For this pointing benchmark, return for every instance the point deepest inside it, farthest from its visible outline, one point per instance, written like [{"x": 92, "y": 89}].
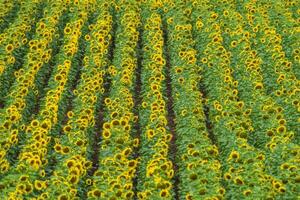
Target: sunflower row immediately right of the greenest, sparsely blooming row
[{"x": 230, "y": 116}]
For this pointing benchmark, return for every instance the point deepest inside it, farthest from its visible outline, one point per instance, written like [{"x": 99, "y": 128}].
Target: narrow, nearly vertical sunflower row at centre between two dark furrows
[{"x": 155, "y": 168}]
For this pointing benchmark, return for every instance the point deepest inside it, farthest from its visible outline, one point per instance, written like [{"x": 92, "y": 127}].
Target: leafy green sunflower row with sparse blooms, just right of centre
[{"x": 197, "y": 158}]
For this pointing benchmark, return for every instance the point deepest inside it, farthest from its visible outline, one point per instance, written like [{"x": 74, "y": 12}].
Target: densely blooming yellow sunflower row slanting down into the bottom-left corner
[{"x": 30, "y": 169}]
